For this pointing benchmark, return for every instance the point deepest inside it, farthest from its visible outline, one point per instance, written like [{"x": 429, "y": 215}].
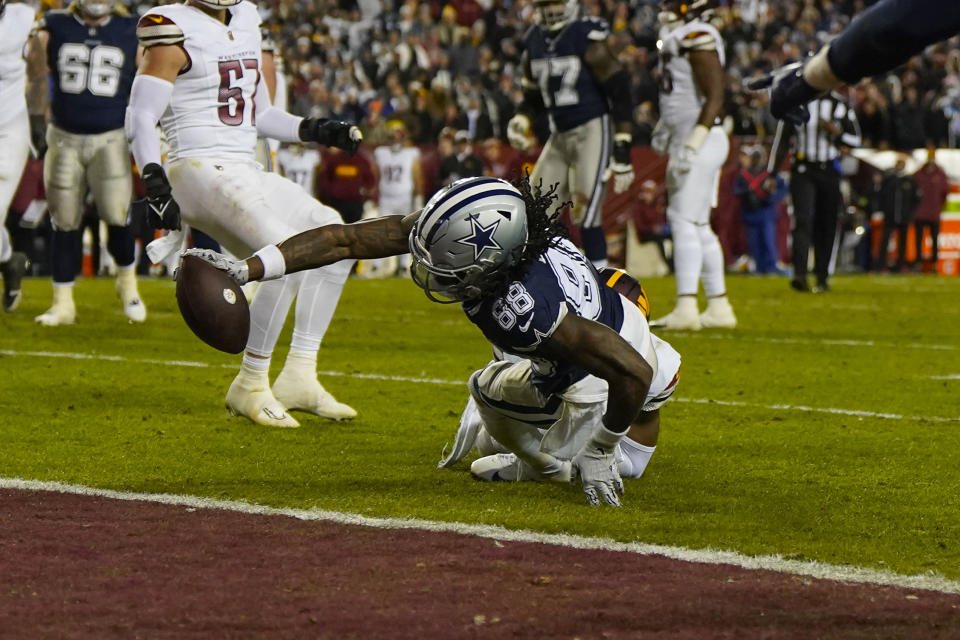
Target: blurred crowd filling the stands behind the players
[{"x": 450, "y": 71}]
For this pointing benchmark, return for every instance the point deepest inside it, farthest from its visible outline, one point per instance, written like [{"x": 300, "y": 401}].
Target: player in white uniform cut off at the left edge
[{"x": 15, "y": 21}]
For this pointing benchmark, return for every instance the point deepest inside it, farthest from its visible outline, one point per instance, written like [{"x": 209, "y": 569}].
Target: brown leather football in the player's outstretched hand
[{"x": 213, "y": 305}]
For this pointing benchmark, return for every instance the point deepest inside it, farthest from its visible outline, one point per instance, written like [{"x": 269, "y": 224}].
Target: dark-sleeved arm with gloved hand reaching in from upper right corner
[{"x": 880, "y": 39}]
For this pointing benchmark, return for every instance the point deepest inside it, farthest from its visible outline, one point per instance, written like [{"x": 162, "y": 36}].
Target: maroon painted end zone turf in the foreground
[{"x": 83, "y": 567}]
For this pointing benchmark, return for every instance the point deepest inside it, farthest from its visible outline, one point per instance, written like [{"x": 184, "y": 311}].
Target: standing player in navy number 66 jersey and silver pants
[{"x": 89, "y": 50}]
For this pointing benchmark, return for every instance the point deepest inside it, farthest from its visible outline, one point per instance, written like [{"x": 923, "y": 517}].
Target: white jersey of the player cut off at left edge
[{"x": 15, "y": 25}]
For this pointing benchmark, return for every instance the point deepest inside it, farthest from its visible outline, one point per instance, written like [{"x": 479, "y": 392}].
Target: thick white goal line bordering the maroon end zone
[{"x": 813, "y": 569}]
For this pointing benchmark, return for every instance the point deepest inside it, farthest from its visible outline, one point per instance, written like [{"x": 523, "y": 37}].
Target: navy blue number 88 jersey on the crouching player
[{"x": 561, "y": 282}]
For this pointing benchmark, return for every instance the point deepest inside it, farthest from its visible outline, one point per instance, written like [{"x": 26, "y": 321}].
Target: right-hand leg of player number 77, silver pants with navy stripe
[{"x": 592, "y": 152}]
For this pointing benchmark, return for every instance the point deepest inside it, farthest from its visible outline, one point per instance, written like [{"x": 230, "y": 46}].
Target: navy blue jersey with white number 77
[{"x": 570, "y": 92}]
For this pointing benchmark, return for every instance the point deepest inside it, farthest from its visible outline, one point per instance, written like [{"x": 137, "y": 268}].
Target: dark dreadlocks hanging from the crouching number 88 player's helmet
[{"x": 544, "y": 228}]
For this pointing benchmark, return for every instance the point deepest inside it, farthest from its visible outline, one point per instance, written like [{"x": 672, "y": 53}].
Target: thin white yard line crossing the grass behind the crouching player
[{"x": 461, "y": 383}]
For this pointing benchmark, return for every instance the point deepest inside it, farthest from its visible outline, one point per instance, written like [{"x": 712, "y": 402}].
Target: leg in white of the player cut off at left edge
[{"x": 15, "y": 143}]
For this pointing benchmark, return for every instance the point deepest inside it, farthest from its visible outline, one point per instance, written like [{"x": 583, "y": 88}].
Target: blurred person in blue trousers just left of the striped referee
[{"x": 760, "y": 193}]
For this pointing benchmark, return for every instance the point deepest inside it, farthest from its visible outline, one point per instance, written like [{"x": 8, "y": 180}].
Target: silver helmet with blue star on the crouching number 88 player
[{"x": 468, "y": 231}]
